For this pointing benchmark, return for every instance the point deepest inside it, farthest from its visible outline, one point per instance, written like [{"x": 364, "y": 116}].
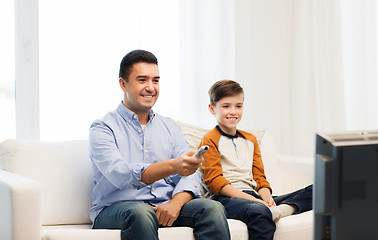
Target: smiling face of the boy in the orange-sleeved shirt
[{"x": 228, "y": 112}]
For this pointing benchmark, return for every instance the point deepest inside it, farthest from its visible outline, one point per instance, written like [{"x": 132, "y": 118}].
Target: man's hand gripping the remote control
[{"x": 186, "y": 165}]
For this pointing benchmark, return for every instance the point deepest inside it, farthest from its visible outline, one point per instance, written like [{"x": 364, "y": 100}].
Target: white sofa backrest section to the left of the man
[{"x": 64, "y": 172}]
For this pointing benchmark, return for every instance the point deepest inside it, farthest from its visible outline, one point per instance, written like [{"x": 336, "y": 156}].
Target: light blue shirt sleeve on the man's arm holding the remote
[{"x": 107, "y": 158}]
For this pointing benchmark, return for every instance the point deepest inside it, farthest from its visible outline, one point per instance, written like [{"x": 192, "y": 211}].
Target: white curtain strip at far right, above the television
[{"x": 359, "y": 39}]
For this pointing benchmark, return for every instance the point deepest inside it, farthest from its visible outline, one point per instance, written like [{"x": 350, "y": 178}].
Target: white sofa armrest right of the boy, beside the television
[{"x": 297, "y": 172}]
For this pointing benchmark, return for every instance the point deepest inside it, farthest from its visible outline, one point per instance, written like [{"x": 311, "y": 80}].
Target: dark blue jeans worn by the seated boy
[{"x": 257, "y": 216}]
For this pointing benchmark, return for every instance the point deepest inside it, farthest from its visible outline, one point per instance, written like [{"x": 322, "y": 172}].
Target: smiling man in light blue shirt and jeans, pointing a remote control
[{"x": 144, "y": 176}]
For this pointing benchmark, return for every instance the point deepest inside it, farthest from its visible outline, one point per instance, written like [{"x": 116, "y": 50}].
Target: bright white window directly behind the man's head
[{"x": 81, "y": 46}]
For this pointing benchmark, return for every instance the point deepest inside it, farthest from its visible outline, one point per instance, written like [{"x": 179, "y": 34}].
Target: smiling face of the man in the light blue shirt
[{"x": 142, "y": 88}]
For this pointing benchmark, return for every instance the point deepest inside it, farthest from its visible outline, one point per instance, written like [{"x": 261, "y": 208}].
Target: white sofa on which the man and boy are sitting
[{"x": 45, "y": 191}]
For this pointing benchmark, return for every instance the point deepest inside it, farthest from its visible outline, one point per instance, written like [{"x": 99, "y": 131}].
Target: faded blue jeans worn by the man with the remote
[{"x": 138, "y": 220}]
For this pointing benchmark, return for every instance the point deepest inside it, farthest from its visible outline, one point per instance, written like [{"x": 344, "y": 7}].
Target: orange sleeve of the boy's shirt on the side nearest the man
[{"x": 212, "y": 167}]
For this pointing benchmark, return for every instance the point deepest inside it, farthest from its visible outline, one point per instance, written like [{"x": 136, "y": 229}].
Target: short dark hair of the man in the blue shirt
[{"x": 132, "y": 57}]
